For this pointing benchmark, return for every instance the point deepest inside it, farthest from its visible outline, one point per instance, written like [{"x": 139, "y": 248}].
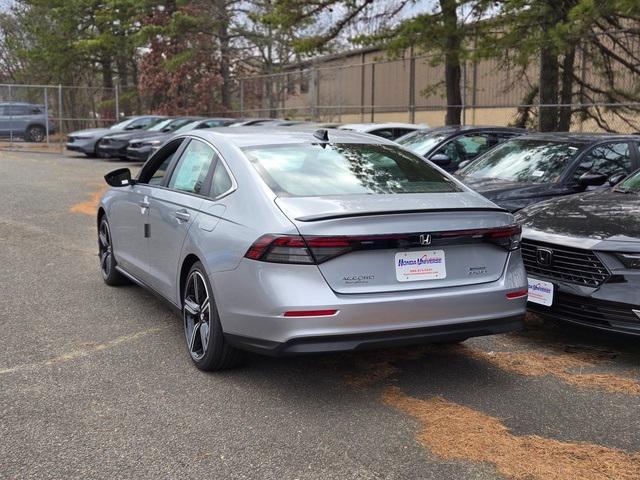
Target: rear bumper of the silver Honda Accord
[{"x": 252, "y": 299}]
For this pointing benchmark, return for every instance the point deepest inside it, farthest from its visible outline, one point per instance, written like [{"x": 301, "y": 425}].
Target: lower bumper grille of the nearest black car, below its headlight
[{"x": 589, "y": 310}]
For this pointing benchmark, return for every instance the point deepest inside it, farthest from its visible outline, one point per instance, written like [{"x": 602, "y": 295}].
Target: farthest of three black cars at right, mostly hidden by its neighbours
[{"x": 451, "y": 147}]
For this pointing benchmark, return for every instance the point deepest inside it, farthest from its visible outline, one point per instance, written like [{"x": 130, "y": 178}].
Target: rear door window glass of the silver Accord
[{"x": 193, "y": 166}]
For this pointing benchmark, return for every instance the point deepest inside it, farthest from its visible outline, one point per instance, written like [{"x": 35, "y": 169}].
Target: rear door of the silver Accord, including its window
[{"x": 173, "y": 211}]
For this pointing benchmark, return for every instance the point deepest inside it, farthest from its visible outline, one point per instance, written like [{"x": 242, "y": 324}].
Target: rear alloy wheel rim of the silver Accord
[{"x": 197, "y": 315}]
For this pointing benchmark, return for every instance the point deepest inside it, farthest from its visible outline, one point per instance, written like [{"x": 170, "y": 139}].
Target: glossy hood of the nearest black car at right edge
[{"x": 603, "y": 215}]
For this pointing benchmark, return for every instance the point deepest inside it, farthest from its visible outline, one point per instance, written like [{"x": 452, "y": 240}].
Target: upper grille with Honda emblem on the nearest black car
[{"x": 572, "y": 265}]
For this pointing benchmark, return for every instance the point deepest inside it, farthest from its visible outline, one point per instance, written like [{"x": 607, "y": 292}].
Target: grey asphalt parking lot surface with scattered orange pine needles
[{"x": 96, "y": 382}]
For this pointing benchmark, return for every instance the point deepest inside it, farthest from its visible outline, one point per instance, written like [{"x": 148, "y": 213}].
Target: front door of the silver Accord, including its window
[{"x": 129, "y": 214}]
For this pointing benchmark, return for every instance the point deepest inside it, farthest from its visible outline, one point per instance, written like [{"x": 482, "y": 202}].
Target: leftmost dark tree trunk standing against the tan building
[{"x": 452, "y": 70}]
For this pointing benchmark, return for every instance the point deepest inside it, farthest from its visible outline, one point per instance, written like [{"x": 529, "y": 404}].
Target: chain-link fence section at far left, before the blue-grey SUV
[{"x": 38, "y": 117}]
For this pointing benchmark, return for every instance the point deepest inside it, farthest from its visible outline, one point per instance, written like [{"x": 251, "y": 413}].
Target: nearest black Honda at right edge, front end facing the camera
[{"x": 582, "y": 255}]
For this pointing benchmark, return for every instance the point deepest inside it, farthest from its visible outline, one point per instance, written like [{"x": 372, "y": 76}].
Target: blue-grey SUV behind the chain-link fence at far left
[{"x": 25, "y": 120}]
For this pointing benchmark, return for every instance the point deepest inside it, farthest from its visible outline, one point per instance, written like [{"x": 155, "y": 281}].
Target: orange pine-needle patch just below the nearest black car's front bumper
[{"x": 567, "y": 366}]
